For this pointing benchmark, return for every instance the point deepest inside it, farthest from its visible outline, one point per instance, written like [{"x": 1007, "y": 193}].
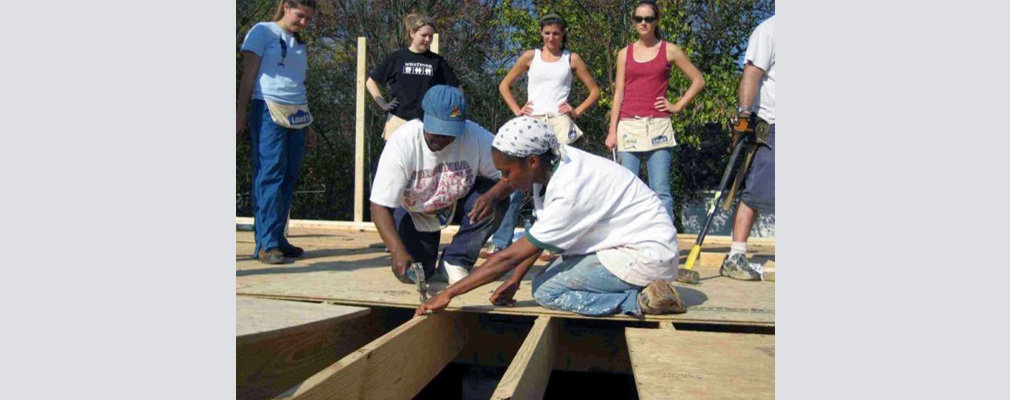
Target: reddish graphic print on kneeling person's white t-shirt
[{"x": 440, "y": 187}]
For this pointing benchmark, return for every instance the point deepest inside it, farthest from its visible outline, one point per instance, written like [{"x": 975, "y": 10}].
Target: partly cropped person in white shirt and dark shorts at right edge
[{"x": 759, "y": 196}]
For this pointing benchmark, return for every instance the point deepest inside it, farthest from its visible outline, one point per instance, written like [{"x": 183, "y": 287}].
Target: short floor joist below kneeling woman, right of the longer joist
[{"x": 527, "y": 377}]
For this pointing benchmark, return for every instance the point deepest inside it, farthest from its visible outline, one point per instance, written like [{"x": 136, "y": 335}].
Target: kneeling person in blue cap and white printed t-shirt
[{"x": 431, "y": 168}]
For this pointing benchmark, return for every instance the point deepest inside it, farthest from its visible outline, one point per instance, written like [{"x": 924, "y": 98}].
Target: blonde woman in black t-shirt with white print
[{"x": 410, "y": 73}]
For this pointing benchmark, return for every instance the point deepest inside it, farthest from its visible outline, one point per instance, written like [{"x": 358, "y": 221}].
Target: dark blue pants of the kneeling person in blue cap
[{"x": 466, "y": 246}]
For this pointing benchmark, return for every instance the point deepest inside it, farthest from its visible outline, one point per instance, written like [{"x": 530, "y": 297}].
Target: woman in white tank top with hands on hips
[{"x": 551, "y": 69}]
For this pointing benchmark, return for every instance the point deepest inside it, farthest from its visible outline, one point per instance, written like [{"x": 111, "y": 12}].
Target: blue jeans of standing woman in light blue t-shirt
[{"x": 277, "y": 158}]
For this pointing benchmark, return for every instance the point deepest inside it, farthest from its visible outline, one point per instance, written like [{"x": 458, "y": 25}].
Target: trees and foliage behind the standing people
[{"x": 482, "y": 40}]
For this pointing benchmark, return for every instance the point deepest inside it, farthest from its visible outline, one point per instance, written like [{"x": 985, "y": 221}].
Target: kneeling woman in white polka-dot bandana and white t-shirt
[{"x": 619, "y": 248}]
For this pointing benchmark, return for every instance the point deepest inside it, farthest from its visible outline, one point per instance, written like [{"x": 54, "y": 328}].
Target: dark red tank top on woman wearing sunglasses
[{"x": 644, "y": 82}]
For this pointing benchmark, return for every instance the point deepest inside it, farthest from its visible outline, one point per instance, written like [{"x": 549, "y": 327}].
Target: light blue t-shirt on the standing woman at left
[{"x": 282, "y": 64}]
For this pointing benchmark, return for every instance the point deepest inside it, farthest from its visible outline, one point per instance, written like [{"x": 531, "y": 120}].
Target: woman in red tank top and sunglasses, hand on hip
[{"x": 641, "y": 128}]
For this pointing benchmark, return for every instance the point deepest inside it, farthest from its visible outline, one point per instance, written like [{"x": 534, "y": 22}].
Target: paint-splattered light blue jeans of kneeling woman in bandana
[{"x": 582, "y": 285}]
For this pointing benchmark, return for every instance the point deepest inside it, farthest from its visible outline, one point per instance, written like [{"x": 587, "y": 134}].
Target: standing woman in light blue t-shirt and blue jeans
[{"x": 274, "y": 66}]
